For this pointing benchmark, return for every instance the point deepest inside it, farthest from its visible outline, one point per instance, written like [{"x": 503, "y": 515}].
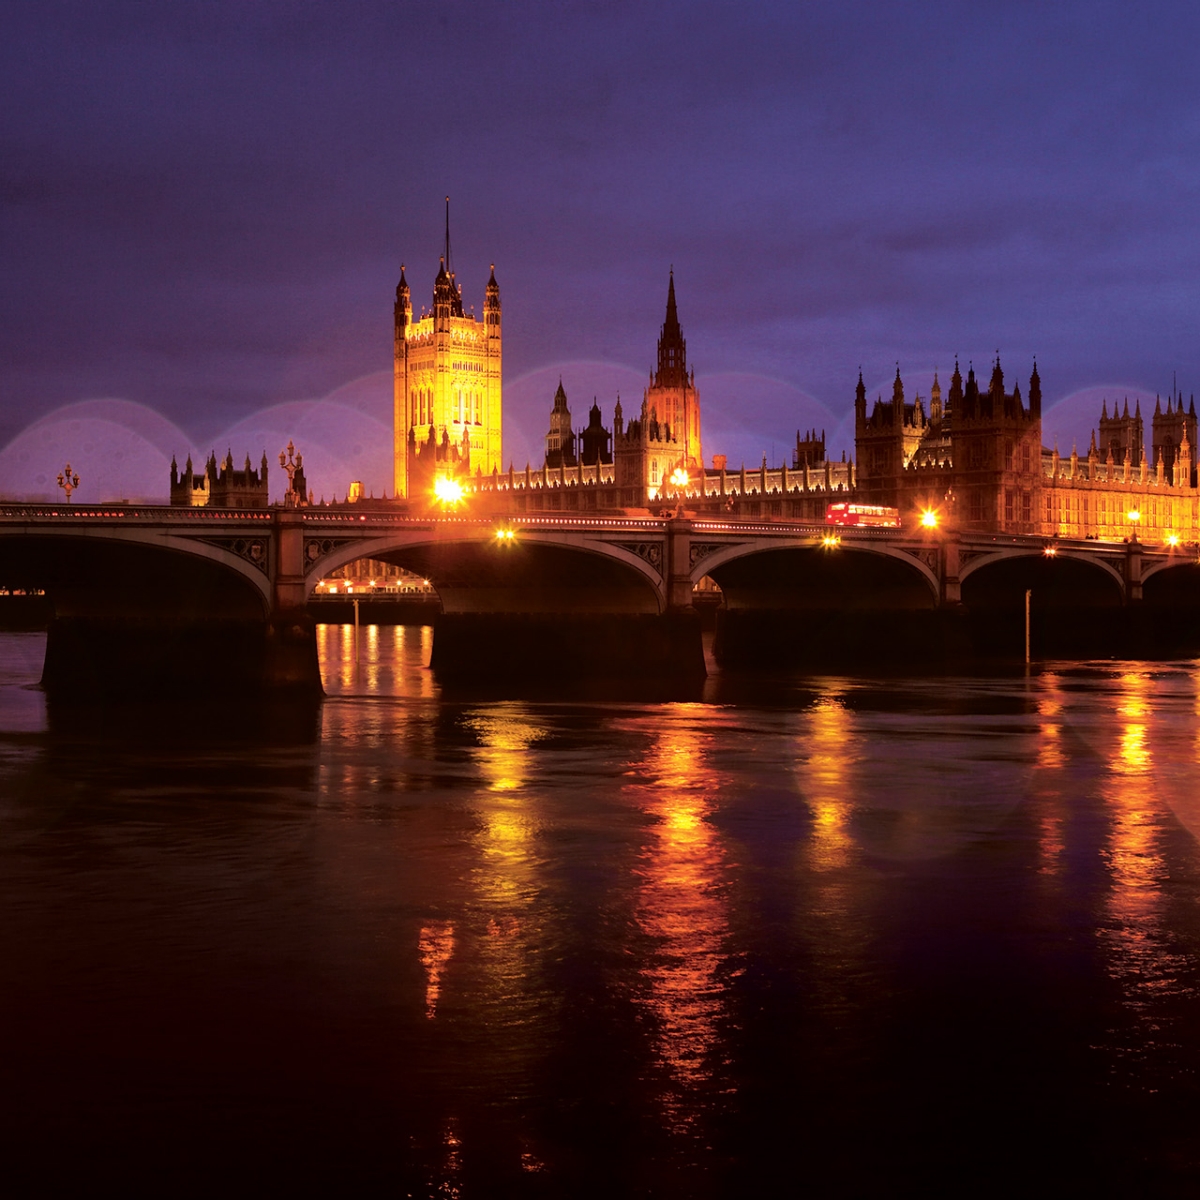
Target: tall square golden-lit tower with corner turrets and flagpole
[{"x": 447, "y": 403}]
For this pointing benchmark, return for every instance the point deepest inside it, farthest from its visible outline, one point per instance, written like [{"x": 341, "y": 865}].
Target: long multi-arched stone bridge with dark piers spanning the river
[{"x": 208, "y": 602}]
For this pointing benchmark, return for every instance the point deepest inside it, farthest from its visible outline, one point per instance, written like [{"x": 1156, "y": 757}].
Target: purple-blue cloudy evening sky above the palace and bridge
[{"x": 206, "y": 208}]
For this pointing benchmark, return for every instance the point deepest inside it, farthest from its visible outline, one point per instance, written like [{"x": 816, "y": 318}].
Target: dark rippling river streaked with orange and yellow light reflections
[{"x": 824, "y": 935}]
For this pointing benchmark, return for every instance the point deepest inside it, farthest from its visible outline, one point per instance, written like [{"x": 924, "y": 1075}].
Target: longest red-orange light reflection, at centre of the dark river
[{"x": 682, "y": 908}]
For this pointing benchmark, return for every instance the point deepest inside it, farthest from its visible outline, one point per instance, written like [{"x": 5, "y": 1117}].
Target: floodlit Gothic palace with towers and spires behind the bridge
[{"x": 973, "y": 455}]
